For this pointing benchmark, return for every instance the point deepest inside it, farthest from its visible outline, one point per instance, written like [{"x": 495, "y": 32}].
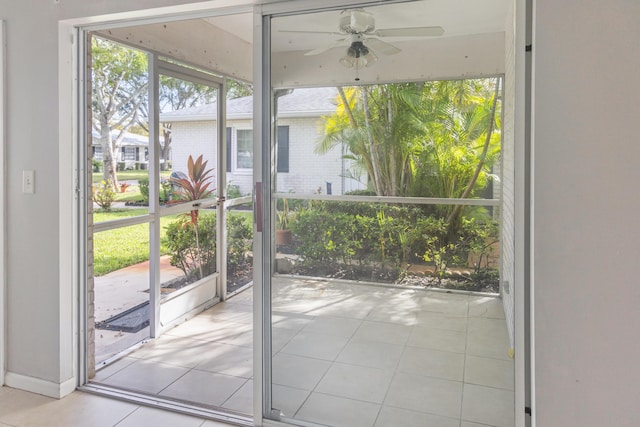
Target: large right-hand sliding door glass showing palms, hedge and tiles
[{"x": 384, "y": 210}]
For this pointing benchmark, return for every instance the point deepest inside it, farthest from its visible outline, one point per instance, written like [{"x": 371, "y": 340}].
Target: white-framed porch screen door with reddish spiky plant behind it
[{"x": 189, "y": 177}]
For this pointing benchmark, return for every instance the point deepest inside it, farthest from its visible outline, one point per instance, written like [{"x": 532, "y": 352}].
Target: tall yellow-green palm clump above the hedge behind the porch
[{"x": 432, "y": 139}]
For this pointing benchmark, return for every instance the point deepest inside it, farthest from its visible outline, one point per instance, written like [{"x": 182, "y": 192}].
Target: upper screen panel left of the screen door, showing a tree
[{"x": 119, "y": 147}]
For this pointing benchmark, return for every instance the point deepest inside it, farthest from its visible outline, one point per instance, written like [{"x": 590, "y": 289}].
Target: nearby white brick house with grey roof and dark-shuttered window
[{"x": 300, "y": 127}]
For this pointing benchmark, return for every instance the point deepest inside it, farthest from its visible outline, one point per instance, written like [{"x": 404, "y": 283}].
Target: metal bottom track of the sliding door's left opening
[{"x": 170, "y": 405}]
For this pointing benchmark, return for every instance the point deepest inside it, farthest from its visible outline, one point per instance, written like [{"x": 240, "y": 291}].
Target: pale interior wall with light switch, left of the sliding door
[{"x": 40, "y": 321}]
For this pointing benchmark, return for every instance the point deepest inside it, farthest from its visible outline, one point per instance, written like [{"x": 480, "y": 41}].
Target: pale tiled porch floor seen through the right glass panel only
[{"x": 376, "y": 356}]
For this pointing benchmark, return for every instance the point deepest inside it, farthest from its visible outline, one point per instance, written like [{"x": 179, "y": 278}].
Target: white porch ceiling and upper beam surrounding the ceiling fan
[{"x": 472, "y": 44}]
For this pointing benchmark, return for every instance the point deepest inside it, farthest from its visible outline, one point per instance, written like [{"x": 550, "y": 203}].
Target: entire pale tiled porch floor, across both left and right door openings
[{"x": 343, "y": 355}]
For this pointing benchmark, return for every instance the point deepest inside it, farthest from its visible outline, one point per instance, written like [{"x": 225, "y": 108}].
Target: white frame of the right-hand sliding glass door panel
[{"x": 263, "y": 177}]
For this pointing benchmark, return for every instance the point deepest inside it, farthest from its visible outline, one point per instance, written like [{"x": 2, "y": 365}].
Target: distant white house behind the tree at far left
[{"x": 132, "y": 153}]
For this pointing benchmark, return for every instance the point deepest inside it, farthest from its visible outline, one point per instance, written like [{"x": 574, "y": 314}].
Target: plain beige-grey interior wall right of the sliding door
[{"x": 586, "y": 203}]
